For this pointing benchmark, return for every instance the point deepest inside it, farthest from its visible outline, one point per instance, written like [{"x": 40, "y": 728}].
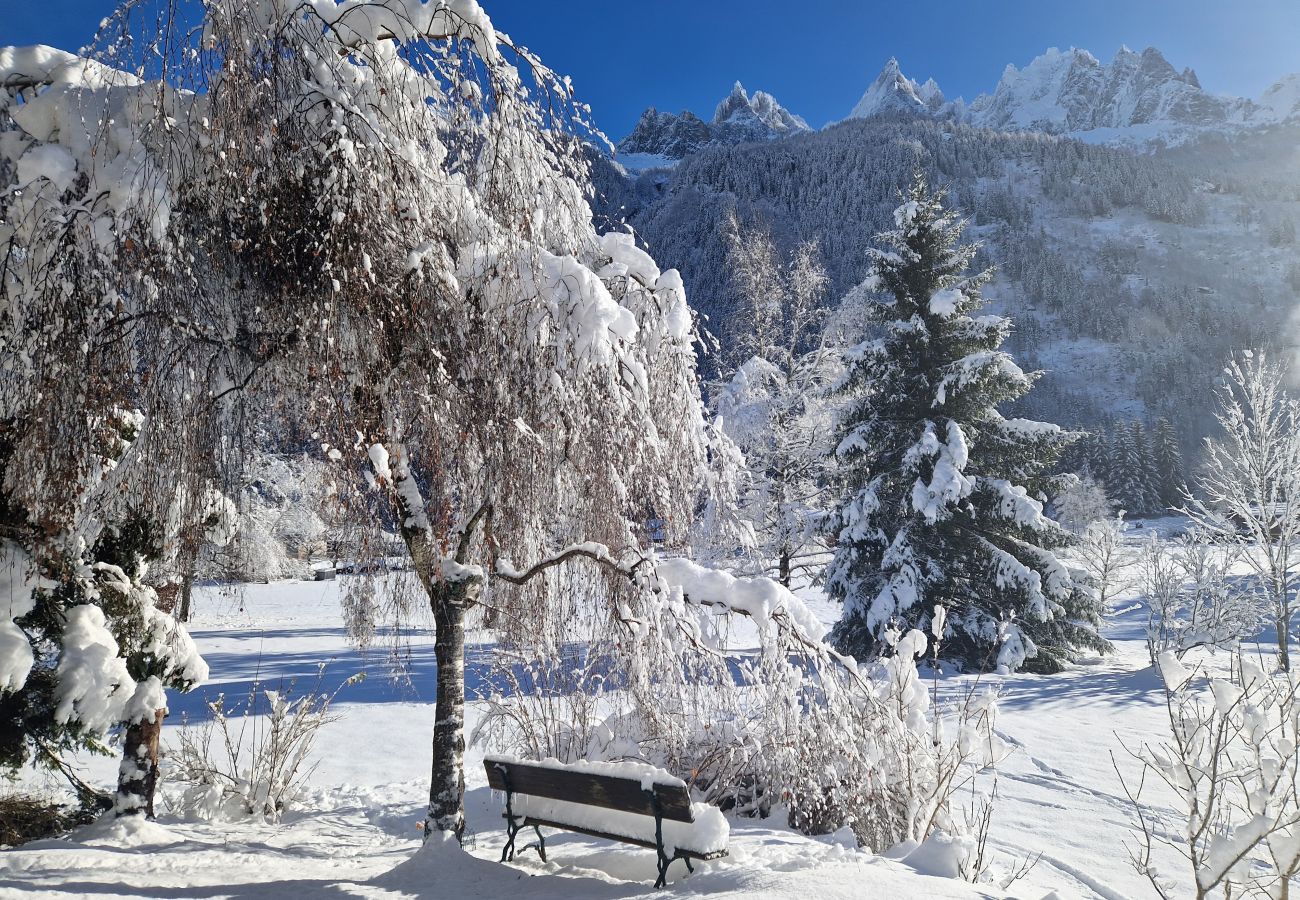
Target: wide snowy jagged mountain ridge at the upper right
[{"x": 1073, "y": 93}]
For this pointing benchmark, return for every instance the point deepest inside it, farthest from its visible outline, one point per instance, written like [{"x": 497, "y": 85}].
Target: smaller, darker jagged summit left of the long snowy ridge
[{"x": 739, "y": 119}]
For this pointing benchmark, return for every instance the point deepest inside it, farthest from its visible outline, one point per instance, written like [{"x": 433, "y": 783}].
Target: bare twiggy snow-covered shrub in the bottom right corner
[{"x": 1232, "y": 763}]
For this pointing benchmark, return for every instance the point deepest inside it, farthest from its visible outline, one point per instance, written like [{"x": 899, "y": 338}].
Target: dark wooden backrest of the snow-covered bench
[{"x": 590, "y": 789}]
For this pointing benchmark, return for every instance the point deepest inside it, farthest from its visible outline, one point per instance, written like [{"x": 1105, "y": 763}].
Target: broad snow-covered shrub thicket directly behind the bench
[{"x": 795, "y": 728}]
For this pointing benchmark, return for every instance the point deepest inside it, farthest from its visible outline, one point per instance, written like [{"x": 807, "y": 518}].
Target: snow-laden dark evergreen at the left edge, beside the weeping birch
[{"x": 84, "y": 647}]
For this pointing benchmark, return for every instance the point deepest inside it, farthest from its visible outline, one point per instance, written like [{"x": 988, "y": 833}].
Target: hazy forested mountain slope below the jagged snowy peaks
[{"x": 1132, "y": 276}]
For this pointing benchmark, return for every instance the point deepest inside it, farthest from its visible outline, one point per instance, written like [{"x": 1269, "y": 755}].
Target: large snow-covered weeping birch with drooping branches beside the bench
[{"x": 371, "y": 218}]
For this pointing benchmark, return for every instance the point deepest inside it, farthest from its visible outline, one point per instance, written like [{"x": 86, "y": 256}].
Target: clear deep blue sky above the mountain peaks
[{"x": 818, "y": 57}]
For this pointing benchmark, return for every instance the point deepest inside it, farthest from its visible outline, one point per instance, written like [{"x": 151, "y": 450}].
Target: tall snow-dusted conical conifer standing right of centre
[{"x": 941, "y": 501}]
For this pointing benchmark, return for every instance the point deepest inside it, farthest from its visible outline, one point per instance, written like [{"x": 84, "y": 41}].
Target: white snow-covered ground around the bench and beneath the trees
[{"x": 356, "y": 836}]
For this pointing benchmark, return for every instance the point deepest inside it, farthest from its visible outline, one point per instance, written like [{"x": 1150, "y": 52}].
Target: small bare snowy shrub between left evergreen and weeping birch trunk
[{"x": 253, "y": 759}]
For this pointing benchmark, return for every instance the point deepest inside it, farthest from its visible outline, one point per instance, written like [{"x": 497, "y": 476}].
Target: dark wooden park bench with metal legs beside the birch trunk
[{"x": 579, "y": 786}]
